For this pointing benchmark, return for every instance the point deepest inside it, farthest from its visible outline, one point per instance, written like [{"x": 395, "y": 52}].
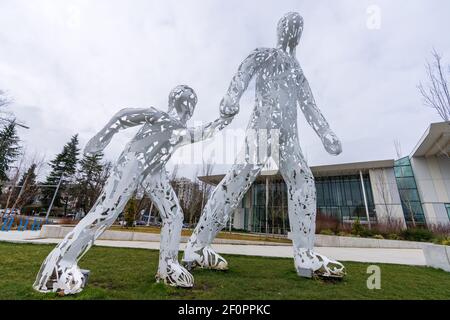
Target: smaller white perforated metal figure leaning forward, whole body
[{"x": 142, "y": 162}]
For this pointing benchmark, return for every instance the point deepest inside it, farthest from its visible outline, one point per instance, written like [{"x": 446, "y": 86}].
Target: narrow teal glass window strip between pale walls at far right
[{"x": 412, "y": 207}]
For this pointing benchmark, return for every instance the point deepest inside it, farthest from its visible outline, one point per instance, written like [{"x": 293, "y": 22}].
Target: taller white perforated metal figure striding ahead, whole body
[{"x": 281, "y": 88}]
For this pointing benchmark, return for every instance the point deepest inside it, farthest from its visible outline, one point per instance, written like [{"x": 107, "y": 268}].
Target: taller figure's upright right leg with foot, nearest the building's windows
[{"x": 302, "y": 215}]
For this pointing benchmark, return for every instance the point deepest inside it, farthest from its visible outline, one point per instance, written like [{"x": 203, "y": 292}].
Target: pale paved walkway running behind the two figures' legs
[{"x": 371, "y": 255}]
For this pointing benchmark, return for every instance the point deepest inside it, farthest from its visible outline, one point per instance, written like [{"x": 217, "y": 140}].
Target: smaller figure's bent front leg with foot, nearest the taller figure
[{"x": 163, "y": 196}]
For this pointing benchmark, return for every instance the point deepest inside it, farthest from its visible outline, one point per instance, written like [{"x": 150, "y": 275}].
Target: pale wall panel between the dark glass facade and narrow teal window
[{"x": 386, "y": 196}]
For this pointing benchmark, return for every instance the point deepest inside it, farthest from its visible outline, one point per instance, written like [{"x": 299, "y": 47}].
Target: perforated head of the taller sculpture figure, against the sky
[{"x": 290, "y": 29}]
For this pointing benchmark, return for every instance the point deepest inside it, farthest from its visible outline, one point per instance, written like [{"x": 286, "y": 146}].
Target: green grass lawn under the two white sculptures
[{"x": 119, "y": 273}]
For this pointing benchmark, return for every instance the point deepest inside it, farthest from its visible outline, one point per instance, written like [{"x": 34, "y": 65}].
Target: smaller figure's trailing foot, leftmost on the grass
[{"x": 54, "y": 278}]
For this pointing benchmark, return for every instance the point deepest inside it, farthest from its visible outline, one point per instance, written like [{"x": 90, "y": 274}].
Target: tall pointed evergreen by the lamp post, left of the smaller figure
[{"x": 64, "y": 167}]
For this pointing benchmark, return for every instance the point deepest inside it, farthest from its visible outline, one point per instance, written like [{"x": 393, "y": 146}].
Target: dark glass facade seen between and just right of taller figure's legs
[{"x": 340, "y": 197}]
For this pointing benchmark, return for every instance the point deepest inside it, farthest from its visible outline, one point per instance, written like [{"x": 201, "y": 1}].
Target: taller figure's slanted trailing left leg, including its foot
[{"x": 224, "y": 199}]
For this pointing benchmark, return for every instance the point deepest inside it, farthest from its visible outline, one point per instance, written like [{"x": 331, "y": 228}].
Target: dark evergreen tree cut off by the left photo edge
[{"x": 9, "y": 149}]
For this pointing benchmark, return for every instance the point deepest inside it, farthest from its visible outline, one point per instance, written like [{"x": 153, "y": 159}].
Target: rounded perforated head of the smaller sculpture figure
[{"x": 182, "y": 102}]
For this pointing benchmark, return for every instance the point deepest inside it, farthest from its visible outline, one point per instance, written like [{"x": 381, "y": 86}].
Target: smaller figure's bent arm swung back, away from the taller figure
[{"x": 125, "y": 118}]
